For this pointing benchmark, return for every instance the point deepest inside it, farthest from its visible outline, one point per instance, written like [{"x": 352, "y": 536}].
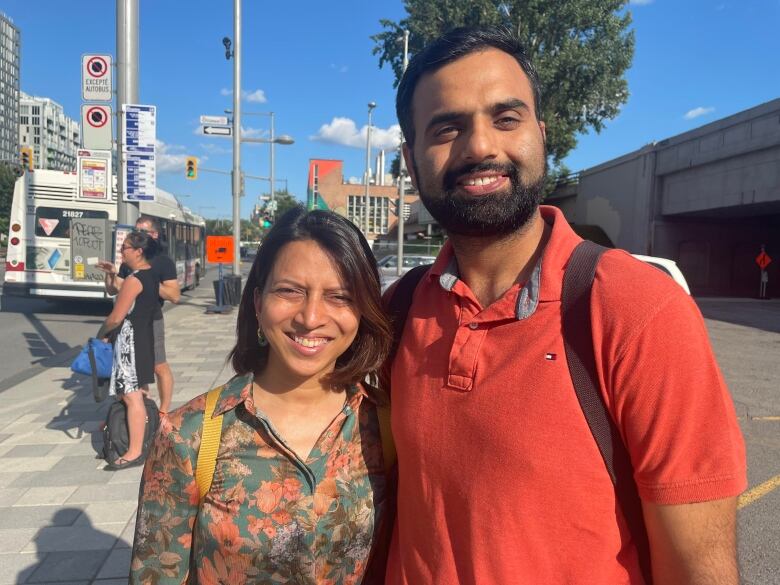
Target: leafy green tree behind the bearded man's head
[{"x": 581, "y": 49}]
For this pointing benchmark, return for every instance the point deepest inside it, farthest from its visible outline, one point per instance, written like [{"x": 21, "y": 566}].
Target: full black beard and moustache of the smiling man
[{"x": 494, "y": 214}]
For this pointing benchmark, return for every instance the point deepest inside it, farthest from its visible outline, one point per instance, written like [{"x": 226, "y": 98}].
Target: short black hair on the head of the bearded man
[{"x": 450, "y": 47}]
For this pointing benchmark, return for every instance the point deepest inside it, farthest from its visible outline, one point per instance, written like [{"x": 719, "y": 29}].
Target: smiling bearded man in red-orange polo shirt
[{"x": 500, "y": 479}]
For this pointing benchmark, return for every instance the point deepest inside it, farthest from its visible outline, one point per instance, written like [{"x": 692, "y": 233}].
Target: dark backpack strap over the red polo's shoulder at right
[{"x": 578, "y": 342}]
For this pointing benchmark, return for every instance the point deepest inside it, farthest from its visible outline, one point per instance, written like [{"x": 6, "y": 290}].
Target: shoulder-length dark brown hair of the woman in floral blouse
[{"x": 346, "y": 246}]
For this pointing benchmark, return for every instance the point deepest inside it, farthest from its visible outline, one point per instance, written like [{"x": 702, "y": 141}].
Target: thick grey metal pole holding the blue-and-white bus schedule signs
[{"x": 126, "y": 93}]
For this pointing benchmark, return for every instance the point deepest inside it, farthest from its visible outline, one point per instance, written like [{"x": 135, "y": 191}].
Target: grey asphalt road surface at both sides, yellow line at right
[{"x": 745, "y": 336}]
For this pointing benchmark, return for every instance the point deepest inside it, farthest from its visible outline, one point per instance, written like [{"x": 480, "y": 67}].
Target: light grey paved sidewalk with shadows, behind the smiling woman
[{"x": 63, "y": 518}]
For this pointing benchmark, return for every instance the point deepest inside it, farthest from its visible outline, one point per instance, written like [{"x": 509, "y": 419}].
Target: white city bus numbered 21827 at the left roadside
[{"x": 38, "y": 255}]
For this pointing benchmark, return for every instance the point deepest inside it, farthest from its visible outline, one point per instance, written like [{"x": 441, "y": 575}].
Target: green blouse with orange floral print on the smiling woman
[{"x": 269, "y": 517}]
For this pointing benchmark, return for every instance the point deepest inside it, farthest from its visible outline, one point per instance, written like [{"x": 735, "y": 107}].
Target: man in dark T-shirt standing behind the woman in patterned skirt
[{"x": 165, "y": 270}]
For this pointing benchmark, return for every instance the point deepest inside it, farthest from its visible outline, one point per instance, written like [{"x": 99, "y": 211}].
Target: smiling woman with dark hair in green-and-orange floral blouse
[{"x": 299, "y": 489}]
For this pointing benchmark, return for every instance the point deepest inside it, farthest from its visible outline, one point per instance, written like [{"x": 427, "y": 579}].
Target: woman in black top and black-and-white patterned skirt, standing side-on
[{"x": 133, "y": 368}]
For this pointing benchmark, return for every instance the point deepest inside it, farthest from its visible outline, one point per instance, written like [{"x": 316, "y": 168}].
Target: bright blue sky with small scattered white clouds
[{"x": 311, "y": 63}]
